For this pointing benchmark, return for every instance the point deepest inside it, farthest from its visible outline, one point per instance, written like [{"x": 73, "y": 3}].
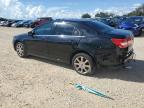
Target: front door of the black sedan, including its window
[{"x": 37, "y": 45}]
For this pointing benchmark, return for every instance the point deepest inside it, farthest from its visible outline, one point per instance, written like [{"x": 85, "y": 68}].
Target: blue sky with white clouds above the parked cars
[{"x": 63, "y": 8}]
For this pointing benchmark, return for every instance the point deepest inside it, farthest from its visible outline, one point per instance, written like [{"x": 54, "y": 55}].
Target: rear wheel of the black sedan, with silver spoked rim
[{"x": 83, "y": 64}]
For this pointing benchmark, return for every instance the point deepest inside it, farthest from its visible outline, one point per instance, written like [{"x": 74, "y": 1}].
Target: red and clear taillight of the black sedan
[{"x": 123, "y": 43}]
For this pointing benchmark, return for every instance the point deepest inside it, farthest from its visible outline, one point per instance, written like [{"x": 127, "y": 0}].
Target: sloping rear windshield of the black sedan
[{"x": 98, "y": 26}]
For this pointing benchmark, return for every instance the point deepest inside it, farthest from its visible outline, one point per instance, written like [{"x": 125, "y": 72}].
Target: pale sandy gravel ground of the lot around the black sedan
[{"x": 39, "y": 83}]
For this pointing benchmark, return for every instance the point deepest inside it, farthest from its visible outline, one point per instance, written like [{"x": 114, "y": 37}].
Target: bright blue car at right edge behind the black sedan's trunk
[{"x": 134, "y": 24}]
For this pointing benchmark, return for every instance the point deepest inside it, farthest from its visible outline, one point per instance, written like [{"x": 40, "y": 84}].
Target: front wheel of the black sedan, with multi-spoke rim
[{"x": 20, "y": 49}]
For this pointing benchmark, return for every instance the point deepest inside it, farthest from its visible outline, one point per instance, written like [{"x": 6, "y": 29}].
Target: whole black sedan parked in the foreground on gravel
[{"x": 83, "y": 43}]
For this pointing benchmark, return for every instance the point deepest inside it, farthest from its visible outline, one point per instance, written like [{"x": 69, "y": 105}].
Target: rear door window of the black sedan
[{"x": 66, "y": 29}]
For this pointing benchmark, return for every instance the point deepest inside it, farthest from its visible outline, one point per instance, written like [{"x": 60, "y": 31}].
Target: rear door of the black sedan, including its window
[{"x": 63, "y": 42}]
